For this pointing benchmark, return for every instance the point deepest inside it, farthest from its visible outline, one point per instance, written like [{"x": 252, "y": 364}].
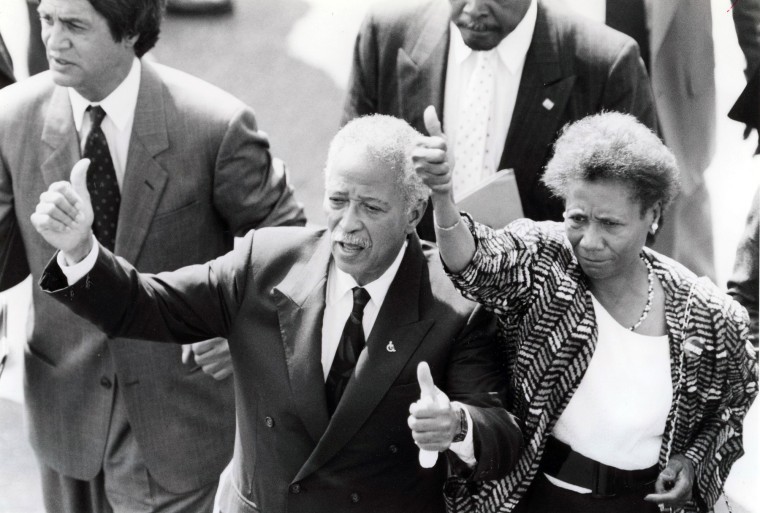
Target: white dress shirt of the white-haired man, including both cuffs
[{"x": 338, "y": 304}]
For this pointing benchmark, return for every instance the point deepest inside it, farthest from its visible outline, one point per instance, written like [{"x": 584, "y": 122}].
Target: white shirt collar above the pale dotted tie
[{"x": 512, "y": 50}]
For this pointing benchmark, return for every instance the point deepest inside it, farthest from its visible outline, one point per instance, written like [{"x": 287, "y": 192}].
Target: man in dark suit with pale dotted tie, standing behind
[{"x": 550, "y": 70}]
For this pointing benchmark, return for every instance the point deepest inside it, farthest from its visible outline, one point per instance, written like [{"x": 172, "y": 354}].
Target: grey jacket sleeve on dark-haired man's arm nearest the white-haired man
[{"x": 251, "y": 189}]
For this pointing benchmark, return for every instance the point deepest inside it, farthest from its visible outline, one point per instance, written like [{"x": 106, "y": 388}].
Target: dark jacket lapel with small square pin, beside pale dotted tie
[{"x": 541, "y": 99}]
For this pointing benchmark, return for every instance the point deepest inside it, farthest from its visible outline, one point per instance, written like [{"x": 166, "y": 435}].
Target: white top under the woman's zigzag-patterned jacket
[{"x": 617, "y": 415}]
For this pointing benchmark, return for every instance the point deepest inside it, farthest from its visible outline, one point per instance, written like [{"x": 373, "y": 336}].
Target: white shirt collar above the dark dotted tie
[{"x": 119, "y": 105}]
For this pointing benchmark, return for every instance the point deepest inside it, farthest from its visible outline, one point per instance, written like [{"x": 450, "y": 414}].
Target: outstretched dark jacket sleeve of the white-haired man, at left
[{"x": 191, "y": 304}]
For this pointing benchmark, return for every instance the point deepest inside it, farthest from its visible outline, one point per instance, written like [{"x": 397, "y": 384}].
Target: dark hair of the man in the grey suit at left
[{"x": 127, "y": 18}]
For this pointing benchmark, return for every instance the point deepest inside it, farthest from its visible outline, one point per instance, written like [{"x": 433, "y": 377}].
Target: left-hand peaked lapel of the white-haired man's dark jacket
[{"x": 300, "y": 300}]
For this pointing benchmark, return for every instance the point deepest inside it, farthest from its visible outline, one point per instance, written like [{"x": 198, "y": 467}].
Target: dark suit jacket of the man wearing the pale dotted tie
[{"x": 399, "y": 68}]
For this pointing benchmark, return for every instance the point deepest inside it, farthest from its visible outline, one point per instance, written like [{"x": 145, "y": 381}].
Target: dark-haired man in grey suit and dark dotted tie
[{"x": 180, "y": 169}]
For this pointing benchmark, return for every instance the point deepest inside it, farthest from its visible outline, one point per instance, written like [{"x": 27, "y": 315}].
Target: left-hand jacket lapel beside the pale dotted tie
[{"x": 421, "y": 66}]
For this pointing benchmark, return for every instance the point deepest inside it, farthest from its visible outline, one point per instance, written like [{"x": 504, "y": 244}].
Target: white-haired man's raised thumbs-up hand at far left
[{"x": 64, "y": 215}]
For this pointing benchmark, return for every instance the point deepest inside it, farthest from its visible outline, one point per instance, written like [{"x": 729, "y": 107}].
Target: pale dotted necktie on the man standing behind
[{"x": 476, "y": 107}]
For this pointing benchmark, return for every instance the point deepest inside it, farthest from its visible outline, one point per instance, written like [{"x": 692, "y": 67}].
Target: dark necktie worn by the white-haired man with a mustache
[{"x": 350, "y": 345}]
